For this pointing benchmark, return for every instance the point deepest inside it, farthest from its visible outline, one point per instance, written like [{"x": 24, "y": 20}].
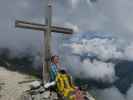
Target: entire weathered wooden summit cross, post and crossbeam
[{"x": 47, "y": 29}]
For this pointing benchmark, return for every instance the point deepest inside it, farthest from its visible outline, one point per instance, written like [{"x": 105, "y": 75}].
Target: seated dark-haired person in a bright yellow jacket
[{"x": 66, "y": 88}]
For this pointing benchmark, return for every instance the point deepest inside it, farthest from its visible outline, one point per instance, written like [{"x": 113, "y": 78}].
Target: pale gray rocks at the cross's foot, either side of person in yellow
[{"x": 42, "y": 94}]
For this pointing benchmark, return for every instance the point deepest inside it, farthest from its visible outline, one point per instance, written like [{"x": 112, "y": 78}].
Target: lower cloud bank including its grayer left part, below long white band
[{"x": 97, "y": 70}]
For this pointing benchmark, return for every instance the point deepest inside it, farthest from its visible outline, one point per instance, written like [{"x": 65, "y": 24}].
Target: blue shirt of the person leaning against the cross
[{"x": 53, "y": 72}]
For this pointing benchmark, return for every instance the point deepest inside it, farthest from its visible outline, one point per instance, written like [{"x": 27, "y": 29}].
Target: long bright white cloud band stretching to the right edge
[{"x": 103, "y": 48}]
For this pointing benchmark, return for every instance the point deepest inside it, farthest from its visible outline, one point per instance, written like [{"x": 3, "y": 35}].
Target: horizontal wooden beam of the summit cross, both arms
[{"x": 40, "y": 27}]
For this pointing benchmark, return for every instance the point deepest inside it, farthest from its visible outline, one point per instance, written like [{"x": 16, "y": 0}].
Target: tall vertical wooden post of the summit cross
[{"x": 47, "y": 42}]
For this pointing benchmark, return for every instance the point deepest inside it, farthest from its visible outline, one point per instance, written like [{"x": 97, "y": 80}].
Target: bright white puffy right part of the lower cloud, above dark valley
[{"x": 98, "y": 70}]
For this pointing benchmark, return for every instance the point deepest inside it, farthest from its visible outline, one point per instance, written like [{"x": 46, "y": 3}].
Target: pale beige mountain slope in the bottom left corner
[{"x": 11, "y": 89}]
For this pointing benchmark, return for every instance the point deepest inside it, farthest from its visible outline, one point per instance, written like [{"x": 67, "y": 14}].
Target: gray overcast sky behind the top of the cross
[{"x": 114, "y": 16}]
